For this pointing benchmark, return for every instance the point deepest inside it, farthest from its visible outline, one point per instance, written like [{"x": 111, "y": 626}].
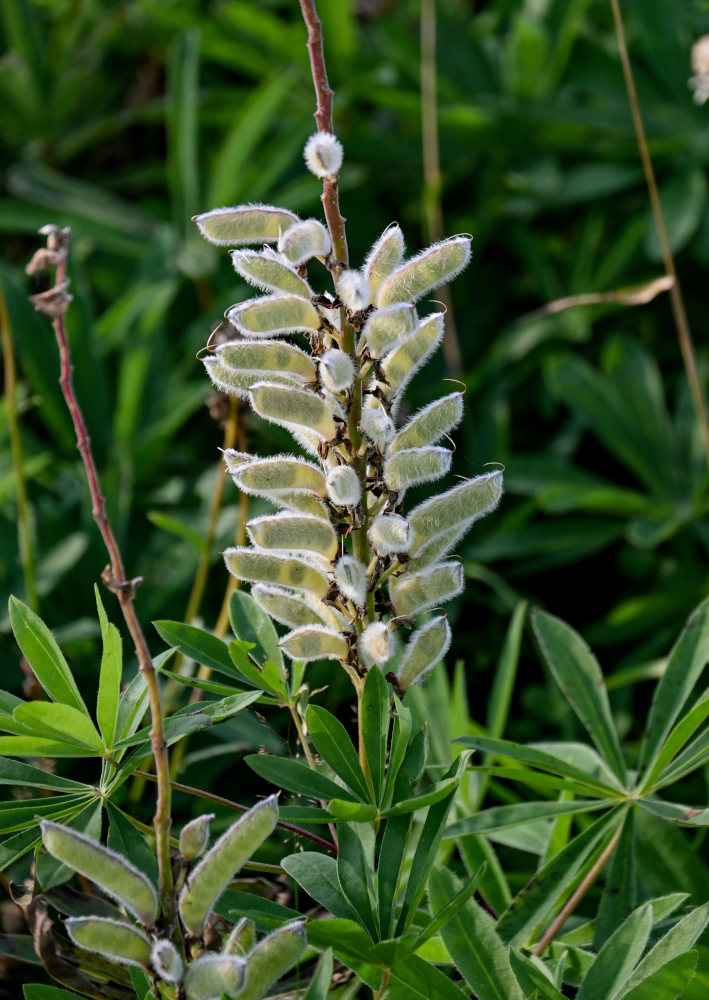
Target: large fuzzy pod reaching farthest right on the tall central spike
[{"x": 459, "y": 508}]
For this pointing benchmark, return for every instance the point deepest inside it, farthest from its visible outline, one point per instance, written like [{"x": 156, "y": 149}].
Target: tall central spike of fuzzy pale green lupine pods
[{"x": 341, "y": 562}]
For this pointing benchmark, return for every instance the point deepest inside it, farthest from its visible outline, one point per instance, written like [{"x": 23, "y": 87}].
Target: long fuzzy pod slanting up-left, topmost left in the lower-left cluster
[{"x": 118, "y": 878}]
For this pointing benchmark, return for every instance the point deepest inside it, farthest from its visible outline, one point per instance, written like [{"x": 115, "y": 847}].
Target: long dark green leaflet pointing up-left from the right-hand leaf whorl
[{"x": 577, "y": 673}]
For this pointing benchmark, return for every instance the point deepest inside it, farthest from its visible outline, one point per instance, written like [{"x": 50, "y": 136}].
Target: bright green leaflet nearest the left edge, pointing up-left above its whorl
[{"x": 41, "y": 651}]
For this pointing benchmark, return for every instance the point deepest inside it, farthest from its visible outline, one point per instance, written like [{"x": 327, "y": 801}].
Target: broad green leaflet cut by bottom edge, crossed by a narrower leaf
[{"x": 475, "y": 947}]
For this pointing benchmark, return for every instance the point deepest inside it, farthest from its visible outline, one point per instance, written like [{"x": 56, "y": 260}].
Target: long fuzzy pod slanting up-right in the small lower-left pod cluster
[{"x": 210, "y": 877}]
